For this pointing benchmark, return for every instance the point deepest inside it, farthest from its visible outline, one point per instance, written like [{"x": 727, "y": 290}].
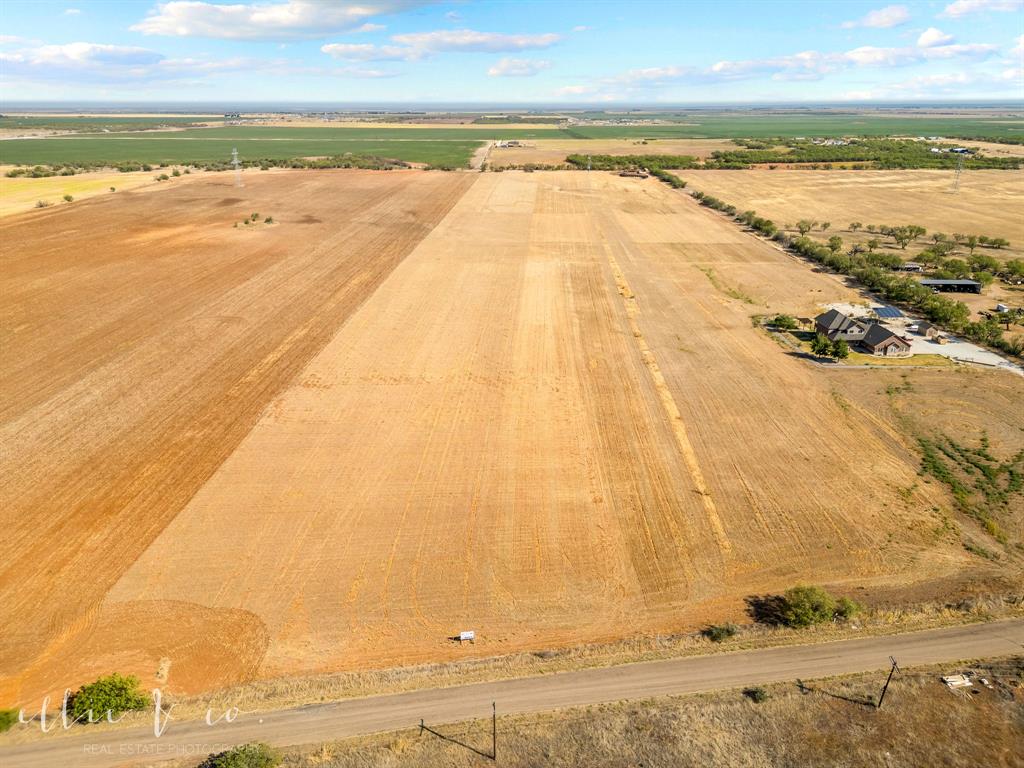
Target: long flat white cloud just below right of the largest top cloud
[{"x": 416, "y": 46}]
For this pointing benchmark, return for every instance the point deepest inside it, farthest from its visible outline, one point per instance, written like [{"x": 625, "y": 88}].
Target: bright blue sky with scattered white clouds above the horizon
[{"x": 560, "y": 53}]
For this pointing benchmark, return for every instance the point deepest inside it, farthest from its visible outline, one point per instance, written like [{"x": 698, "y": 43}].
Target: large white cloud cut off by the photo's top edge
[{"x": 294, "y": 19}]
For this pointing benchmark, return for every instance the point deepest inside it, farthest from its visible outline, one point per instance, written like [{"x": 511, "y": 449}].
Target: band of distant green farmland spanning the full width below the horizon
[{"x": 455, "y": 146}]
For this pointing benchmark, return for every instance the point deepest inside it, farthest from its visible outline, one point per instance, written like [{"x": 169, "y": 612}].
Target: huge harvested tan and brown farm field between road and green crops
[{"x": 530, "y": 405}]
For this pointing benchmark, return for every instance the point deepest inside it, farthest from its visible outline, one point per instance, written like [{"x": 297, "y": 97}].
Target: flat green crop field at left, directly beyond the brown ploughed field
[{"x": 208, "y": 147}]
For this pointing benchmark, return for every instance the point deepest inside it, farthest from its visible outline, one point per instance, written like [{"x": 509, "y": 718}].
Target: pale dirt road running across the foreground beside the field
[{"x": 357, "y": 717}]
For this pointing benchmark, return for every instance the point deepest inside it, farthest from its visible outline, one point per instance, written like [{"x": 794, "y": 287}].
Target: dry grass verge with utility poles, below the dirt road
[{"x": 829, "y": 722}]
